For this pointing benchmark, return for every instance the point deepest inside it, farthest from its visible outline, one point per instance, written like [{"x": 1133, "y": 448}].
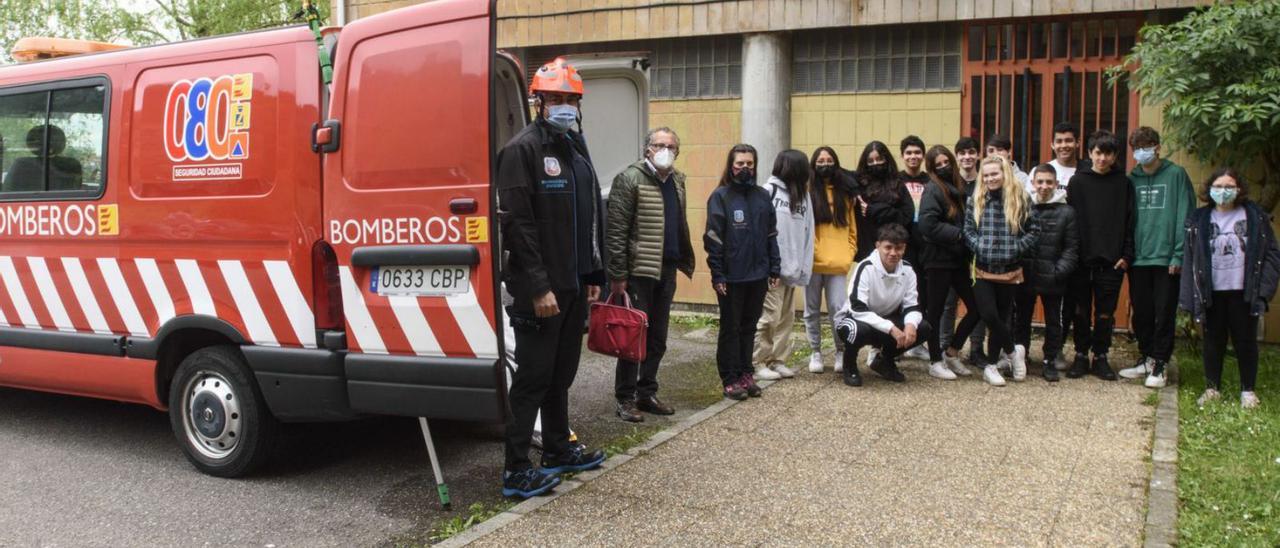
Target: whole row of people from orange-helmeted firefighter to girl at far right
[{"x": 890, "y": 253}]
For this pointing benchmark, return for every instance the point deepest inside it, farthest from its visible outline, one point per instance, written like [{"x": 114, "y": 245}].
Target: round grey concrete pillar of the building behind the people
[{"x": 767, "y": 97}]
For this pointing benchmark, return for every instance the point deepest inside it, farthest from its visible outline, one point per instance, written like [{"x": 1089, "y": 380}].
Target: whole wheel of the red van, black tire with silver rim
[{"x": 235, "y": 432}]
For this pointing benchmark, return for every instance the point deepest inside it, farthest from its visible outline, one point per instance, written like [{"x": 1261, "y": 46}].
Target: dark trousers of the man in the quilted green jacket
[{"x": 653, "y": 296}]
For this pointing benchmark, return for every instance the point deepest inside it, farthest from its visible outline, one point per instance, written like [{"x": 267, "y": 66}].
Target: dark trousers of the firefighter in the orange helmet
[{"x": 548, "y": 351}]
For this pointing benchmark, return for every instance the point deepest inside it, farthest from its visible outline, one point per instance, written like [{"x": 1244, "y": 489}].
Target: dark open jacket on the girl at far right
[{"x": 1261, "y": 263}]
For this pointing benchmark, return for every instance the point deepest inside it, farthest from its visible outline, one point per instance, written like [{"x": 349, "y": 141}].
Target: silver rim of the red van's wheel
[{"x": 213, "y": 415}]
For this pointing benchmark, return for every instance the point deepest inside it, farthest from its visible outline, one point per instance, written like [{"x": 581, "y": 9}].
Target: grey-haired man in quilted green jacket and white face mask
[{"x": 648, "y": 241}]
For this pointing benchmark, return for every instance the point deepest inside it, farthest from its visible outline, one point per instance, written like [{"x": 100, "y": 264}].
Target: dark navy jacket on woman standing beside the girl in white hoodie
[{"x": 742, "y": 238}]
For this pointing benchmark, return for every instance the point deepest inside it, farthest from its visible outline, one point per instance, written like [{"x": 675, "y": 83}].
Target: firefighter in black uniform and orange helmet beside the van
[{"x": 554, "y": 244}]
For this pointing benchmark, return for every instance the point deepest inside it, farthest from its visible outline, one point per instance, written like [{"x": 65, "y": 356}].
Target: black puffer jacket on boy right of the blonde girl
[{"x": 1052, "y": 263}]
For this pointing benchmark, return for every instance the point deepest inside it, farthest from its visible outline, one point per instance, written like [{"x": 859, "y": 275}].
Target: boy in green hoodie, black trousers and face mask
[{"x": 1165, "y": 198}]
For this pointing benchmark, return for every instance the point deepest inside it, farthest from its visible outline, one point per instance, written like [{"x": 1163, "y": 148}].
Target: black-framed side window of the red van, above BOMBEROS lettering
[{"x": 52, "y": 143}]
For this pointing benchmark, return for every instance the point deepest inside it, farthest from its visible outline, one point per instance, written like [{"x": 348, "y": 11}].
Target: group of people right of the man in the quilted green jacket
[{"x": 892, "y": 252}]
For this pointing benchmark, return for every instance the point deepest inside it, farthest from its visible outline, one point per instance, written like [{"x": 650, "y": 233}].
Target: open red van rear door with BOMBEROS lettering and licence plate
[{"x": 408, "y": 211}]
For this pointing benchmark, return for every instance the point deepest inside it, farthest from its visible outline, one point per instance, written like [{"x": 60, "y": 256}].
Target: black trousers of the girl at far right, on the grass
[{"x": 1231, "y": 316}]
